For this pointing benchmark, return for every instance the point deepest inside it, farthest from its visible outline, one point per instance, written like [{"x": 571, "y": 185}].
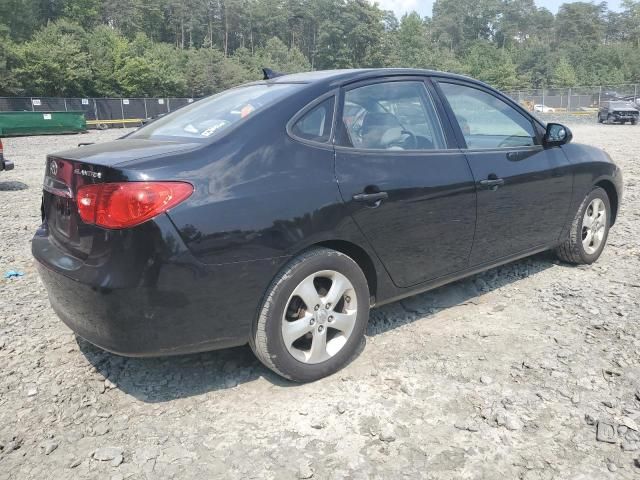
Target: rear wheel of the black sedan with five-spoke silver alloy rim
[{"x": 313, "y": 317}]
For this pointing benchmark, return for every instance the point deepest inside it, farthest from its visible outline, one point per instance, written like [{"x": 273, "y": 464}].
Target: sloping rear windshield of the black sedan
[{"x": 212, "y": 115}]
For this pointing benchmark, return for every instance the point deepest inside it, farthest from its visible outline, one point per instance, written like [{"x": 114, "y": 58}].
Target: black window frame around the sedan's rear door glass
[{"x": 430, "y": 94}]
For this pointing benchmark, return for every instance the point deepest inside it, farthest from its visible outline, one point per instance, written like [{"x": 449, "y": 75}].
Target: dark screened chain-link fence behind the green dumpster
[{"x": 99, "y": 112}]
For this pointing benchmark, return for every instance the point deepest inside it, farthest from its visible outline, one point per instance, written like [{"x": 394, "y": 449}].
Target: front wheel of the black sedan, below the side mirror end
[{"x": 588, "y": 231}]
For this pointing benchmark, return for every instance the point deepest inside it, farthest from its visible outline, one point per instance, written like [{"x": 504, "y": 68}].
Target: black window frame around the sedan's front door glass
[{"x": 462, "y": 143}]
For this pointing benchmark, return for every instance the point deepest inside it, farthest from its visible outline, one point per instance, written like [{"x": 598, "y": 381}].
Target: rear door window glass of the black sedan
[{"x": 391, "y": 116}]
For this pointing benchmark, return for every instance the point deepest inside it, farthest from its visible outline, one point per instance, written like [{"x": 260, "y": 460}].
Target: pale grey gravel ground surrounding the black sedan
[{"x": 529, "y": 371}]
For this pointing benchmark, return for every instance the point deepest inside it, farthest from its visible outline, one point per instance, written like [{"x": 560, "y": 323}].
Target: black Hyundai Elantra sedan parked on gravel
[{"x": 279, "y": 212}]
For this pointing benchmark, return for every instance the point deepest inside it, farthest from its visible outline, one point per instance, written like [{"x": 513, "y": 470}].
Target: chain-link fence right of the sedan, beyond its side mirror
[{"x": 575, "y": 100}]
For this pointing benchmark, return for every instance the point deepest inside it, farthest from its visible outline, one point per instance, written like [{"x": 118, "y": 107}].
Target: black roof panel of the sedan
[{"x": 339, "y": 77}]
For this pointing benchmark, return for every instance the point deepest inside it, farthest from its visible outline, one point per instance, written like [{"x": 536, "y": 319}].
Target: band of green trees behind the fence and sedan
[{"x": 199, "y": 47}]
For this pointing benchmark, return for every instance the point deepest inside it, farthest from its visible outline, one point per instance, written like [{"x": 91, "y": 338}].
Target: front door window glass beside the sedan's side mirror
[{"x": 486, "y": 121}]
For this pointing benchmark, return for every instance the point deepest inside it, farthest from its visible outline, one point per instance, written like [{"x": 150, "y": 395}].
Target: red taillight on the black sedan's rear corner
[{"x": 127, "y": 204}]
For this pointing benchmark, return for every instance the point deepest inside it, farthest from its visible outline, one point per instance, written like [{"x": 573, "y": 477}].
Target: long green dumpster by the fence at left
[{"x": 41, "y": 123}]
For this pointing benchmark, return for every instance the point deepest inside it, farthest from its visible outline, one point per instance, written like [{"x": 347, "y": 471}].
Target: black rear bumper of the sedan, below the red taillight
[{"x": 162, "y": 305}]
